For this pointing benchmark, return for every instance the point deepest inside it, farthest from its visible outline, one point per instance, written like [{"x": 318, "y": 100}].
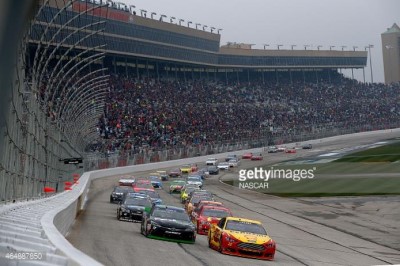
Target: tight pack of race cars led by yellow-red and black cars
[{"x": 201, "y": 213}]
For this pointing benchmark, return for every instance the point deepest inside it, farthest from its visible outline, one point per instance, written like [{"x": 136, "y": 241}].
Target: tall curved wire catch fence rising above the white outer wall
[{"x": 58, "y": 87}]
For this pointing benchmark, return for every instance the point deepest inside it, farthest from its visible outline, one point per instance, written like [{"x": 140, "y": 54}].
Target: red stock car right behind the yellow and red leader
[{"x": 208, "y": 215}]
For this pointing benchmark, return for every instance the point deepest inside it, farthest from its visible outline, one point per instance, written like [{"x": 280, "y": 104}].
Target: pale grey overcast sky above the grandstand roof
[{"x": 290, "y": 22}]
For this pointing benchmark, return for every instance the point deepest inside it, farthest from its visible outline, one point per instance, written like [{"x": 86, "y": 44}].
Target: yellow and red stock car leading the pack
[{"x": 241, "y": 237}]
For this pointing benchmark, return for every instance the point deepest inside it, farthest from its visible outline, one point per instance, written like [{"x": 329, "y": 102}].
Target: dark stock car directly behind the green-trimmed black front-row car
[{"x": 132, "y": 208}]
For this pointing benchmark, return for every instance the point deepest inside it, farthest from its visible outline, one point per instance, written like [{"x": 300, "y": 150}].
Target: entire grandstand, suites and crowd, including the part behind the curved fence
[{"x": 82, "y": 64}]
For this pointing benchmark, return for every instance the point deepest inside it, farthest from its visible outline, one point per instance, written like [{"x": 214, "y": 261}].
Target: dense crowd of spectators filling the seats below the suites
[{"x": 168, "y": 112}]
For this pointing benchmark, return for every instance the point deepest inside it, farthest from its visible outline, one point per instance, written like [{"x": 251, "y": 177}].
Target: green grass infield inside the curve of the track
[{"x": 374, "y": 171}]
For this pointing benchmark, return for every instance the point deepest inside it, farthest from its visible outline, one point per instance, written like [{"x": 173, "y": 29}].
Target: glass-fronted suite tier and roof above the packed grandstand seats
[{"x": 142, "y": 46}]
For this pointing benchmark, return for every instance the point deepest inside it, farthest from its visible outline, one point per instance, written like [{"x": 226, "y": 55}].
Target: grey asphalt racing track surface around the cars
[{"x": 325, "y": 231}]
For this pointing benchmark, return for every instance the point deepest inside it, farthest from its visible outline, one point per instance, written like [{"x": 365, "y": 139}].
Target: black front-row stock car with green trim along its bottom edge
[{"x": 168, "y": 223}]
